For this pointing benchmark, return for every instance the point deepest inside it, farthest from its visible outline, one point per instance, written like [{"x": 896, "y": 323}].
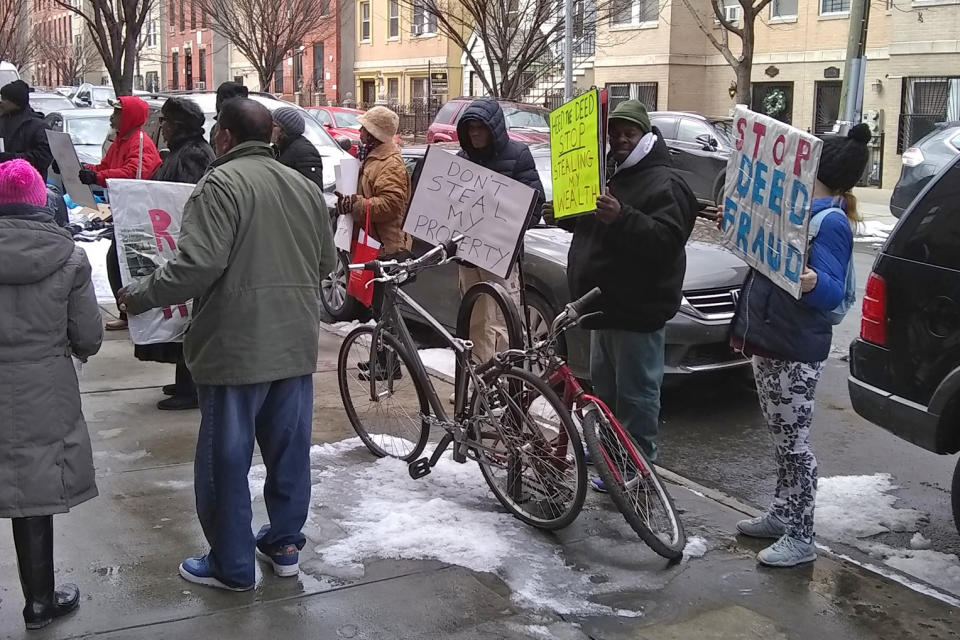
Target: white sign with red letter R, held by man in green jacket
[{"x": 146, "y": 223}]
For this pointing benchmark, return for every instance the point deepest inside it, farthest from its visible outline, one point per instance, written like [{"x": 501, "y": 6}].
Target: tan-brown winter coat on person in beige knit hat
[{"x": 385, "y": 184}]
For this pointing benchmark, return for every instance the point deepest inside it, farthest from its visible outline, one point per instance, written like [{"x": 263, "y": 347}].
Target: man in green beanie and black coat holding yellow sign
[{"x": 632, "y": 248}]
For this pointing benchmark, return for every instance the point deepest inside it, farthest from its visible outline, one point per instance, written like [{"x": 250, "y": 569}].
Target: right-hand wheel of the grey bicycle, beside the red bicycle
[{"x": 530, "y": 452}]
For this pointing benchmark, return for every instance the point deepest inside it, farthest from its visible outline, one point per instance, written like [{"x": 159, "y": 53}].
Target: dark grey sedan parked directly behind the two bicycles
[{"x": 696, "y": 337}]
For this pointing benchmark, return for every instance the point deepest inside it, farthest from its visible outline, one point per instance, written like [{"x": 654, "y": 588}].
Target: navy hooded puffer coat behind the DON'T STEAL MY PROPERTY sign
[{"x": 505, "y": 156}]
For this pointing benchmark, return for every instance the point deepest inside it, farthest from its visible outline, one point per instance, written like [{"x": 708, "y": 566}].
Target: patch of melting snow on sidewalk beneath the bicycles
[{"x": 449, "y": 516}]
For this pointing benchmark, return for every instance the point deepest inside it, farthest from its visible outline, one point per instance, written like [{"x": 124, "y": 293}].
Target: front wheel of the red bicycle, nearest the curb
[{"x": 633, "y": 484}]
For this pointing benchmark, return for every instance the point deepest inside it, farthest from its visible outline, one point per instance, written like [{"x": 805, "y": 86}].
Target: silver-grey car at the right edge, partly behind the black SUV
[{"x": 922, "y": 161}]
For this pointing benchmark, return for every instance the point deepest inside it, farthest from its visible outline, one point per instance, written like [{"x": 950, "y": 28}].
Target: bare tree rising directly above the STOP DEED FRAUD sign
[{"x": 745, "y": 31}]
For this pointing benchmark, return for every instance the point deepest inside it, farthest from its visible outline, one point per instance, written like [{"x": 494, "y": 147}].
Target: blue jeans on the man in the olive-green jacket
[{"x": 279, "y": 415}]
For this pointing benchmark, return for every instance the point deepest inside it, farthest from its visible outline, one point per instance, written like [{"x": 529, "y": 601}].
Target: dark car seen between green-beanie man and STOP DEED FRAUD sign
[{"x": 700, "y": 147}]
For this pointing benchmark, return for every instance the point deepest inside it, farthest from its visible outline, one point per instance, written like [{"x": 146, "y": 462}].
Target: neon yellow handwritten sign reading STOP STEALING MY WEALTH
[{"x": 576, "y": 155}]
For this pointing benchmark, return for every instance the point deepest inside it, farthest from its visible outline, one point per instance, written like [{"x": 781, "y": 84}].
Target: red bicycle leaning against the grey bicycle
[{"x": 629, "y": 478}]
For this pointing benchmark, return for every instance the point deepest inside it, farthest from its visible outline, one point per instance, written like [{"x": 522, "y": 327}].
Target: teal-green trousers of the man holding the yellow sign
[{"x": 626, "y": 369}]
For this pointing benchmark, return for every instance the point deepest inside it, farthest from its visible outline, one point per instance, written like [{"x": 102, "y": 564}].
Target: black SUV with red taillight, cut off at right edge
[{"x": 905, "y": 367}]
